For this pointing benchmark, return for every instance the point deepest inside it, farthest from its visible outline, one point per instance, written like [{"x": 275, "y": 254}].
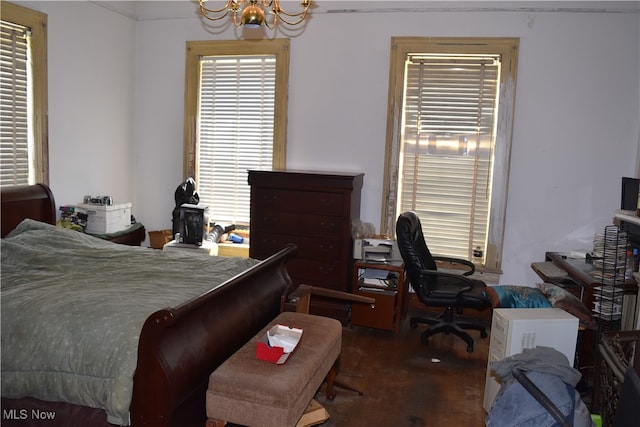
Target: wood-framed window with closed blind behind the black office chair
[{"x": 448, "y": 142}]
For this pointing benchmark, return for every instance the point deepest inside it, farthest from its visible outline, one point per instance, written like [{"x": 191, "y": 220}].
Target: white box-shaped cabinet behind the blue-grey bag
[{"x": 516, "y": 329}]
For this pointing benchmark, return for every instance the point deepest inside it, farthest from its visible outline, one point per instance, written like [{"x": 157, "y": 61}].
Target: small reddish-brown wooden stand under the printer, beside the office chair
[{"x": 391, "y": 304}]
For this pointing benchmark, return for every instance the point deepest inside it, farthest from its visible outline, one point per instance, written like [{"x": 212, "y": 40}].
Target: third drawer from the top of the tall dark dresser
[{"x": 314, "y": 248}]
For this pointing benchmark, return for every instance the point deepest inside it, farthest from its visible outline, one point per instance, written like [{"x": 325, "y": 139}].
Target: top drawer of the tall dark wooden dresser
[{"x": 294, "y": 201}]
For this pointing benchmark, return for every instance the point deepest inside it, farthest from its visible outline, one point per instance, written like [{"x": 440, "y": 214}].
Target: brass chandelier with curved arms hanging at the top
[{"x": 253, "y": 12}]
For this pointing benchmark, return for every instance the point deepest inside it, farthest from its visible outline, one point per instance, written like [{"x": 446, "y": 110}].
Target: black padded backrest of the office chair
[{"x": 412, "y": 247}]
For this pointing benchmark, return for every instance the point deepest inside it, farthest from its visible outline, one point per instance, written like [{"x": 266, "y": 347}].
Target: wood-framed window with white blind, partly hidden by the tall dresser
[{"x": 235, "y": 120}]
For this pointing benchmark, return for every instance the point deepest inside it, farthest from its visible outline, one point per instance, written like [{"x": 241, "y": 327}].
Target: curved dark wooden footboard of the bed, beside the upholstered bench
[{"x": 180, "y": 347}]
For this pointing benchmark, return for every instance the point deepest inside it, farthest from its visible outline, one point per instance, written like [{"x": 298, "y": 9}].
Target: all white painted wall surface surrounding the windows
[{"x": 577, "y": 118}]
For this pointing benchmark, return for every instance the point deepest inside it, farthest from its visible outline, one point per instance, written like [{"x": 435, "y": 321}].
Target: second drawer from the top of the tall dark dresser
[{"x": 299, "y": 224}]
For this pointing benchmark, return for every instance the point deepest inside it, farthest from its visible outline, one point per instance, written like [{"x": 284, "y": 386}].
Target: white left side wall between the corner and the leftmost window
[{"x": 91, "y": 74}]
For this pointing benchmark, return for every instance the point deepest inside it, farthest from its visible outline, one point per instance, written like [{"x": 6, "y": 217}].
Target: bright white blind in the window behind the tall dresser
[{"x": 235, "y": 131}]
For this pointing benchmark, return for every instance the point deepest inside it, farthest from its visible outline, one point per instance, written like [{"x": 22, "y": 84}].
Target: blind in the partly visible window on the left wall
[{"x": 15, "y": 168}]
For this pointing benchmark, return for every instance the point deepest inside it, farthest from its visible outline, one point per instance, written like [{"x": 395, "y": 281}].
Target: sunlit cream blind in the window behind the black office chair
[{"x": 447, "y": 146}]
